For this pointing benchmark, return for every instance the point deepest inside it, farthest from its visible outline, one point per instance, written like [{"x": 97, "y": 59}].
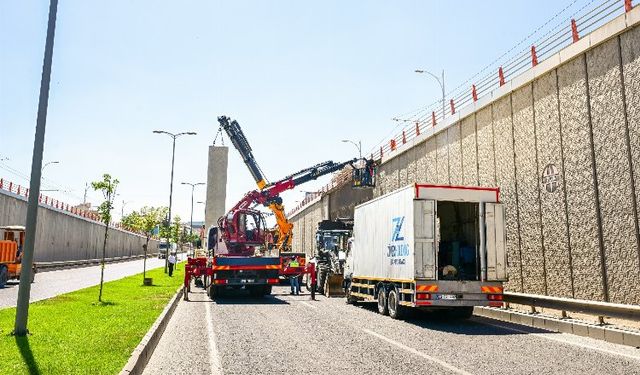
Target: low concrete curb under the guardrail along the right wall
[{"x": 579, "y": 328}]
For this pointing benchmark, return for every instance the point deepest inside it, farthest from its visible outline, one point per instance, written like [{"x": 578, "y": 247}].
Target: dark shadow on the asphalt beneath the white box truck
[{"x": 475, "y": 326}]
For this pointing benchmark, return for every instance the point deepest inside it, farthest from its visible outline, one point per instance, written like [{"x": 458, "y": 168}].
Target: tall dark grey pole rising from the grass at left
[{"x": 24, "y": 291}]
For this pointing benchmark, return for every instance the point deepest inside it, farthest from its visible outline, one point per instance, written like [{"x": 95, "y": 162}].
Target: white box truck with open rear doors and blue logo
[{"x": 431, "y": 247}]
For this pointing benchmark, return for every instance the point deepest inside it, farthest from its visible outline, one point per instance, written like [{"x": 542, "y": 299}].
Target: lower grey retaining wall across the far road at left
[{"x": 62, "y": 236}]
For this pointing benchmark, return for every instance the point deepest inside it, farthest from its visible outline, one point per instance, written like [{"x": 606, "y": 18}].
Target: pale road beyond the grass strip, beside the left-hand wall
[{"x": 52, "y": 283}]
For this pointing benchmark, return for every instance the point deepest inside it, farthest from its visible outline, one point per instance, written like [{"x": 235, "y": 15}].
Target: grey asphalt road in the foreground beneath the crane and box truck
[{"x": 283, "y": 334}]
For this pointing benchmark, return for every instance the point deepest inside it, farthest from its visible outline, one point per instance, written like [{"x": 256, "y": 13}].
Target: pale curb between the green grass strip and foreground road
[{"x": 144, "y": 350}]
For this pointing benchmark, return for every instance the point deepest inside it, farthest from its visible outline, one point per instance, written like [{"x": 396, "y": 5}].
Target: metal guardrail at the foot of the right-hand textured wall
[{"x": 600, "y": 309}]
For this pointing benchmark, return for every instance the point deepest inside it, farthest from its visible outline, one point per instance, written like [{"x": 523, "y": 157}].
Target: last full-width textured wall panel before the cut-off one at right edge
[{"x": 613, "y": 172}]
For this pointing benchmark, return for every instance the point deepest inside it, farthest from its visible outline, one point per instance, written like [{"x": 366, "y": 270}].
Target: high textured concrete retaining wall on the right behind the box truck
[{"x": 562, "y": 142}]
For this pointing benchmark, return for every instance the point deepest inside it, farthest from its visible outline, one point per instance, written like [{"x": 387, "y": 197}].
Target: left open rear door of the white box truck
[{"x": 425, "y": 238}]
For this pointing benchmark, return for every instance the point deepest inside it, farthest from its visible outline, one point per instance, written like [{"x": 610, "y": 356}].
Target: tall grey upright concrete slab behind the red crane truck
[{"x": 216, "y": 184}]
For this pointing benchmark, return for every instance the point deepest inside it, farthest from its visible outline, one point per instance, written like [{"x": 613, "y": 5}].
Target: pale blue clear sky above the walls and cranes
[{"x": 298, "y": 76}]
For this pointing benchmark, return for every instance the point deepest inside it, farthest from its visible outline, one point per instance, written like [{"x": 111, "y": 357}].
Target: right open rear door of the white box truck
[{"x": 496, "y": 242}]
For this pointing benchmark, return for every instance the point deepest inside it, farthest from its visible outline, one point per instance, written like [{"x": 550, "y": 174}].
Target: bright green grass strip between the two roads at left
[{"x": 74, "y": 334}]
